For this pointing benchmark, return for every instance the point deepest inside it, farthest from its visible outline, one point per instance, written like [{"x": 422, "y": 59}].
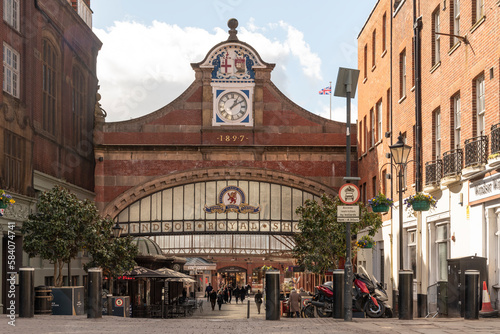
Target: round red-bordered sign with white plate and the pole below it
[{"x": 348, "y": 194}]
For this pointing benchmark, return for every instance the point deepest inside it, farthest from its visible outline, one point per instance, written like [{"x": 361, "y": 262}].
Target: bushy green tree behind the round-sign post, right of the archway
[{"x": 322, "y": 240}]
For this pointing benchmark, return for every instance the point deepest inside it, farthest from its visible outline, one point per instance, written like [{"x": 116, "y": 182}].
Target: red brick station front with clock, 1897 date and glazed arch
[{"x": 232, "y": 135}]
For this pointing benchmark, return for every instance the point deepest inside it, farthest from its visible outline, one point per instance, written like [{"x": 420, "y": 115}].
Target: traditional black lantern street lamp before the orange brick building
[{"x": 400, "y": 152}]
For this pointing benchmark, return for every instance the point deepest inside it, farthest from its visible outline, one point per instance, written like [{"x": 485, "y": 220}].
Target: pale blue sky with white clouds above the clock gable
[{"x": 148, "y": 46}]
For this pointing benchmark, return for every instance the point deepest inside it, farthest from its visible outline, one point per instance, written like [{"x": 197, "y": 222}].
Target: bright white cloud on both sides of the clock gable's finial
[{"x": 143, "y": 67}]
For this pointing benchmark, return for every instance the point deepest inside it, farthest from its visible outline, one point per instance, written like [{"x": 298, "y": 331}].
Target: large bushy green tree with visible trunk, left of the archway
[{"x": 62, "y": 226}]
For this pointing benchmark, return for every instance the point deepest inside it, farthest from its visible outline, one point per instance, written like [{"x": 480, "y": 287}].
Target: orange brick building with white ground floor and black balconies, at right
[{"x": 460, "y": 106}]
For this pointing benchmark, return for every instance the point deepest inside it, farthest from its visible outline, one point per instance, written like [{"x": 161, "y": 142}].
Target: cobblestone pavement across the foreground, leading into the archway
[{"x": 233, "y": 319}]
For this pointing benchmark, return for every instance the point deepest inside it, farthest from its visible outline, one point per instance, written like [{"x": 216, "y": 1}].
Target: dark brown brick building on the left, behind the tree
[{"x": 49, "y": 94}]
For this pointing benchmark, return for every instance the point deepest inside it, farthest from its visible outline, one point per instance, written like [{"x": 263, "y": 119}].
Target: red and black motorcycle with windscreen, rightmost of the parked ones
[{"x": 369, "y": 295}]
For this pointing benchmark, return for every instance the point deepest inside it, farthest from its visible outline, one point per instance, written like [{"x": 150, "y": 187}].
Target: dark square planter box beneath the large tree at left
[{"x": 68, "y": 300}]
